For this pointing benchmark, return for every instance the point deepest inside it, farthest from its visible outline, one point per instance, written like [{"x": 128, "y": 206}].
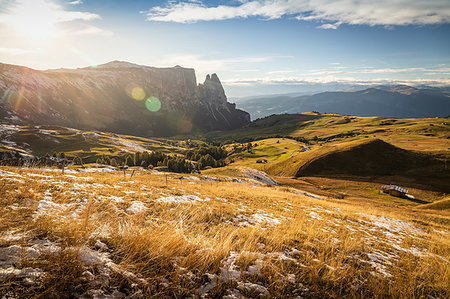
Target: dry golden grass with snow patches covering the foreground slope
[{"x": 101, "y": 233}]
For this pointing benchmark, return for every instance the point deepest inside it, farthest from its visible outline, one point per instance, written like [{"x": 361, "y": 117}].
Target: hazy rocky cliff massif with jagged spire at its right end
[{"x": 115, "y": 97}]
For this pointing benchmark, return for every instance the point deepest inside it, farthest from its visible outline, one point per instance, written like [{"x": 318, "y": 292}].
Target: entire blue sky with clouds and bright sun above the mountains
[{"x": 254, "y": 46}]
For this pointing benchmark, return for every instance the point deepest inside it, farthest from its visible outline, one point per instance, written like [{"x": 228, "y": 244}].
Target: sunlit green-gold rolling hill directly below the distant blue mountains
[{"x": 428, "y": 134}]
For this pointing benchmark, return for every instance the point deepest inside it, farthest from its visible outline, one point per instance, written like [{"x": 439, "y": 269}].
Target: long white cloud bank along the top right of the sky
[{"x": 333, "y": 12}]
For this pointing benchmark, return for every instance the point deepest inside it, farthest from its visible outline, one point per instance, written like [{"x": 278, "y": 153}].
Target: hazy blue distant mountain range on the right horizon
[{"x": 400, "y": 101}]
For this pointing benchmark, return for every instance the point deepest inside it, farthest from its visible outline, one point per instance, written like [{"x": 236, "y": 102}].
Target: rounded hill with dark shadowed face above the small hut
[{"x": 364, "y": 158}]
